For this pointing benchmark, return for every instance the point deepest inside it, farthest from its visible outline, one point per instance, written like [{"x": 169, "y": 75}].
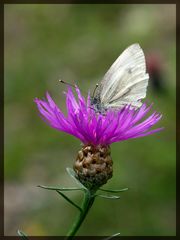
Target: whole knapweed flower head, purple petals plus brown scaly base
[{"x": 97, "y": 131}]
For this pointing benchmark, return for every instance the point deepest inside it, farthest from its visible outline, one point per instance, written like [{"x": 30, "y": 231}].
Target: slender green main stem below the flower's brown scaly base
[{"x": 86, "y": 205}]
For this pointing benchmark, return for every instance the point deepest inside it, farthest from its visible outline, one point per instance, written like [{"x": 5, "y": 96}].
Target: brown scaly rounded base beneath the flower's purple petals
[{"x": 93, "y": 166}]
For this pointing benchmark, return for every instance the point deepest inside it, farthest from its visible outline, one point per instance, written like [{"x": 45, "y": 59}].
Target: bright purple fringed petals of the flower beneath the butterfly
[{"x": 83, "y": 122}]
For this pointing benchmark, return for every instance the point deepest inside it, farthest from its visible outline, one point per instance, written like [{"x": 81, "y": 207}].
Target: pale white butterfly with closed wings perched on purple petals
[{"x": 124, "y": 83}]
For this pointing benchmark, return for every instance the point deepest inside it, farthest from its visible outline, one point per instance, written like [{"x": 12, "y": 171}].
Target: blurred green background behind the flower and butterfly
[{"x": 78, "y": 43}]
